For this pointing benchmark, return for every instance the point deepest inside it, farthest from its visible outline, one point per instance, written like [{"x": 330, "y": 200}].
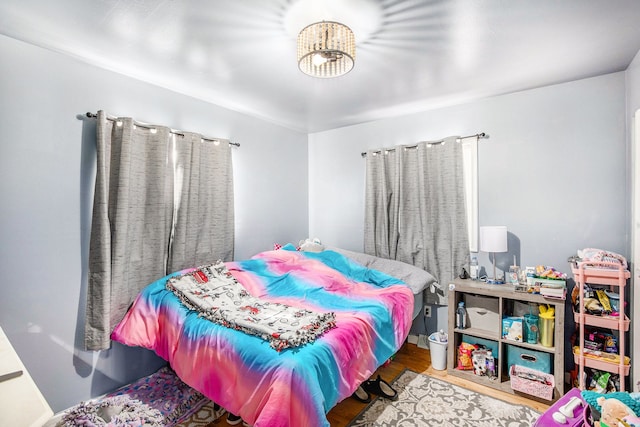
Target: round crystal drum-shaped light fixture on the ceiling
[{"x": 326, "y": 49}]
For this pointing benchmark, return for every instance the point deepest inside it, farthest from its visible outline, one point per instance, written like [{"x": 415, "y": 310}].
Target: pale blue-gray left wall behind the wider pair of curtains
[{"x": 47, "y": 167}]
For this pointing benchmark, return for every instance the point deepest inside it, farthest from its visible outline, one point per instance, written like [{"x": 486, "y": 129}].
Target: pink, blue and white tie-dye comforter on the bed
[{"x": 243, "y": 373}]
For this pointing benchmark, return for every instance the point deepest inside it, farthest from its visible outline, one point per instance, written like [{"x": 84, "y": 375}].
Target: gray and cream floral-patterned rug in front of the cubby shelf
[{"x": 425, "y": 401}]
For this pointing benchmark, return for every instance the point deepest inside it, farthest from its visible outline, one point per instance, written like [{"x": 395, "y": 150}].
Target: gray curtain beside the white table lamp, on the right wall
[{"x": 415, "y": 209}]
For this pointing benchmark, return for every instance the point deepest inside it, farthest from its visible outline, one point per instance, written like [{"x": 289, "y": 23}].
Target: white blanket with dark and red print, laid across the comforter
[{"x": 216, "y": 295}]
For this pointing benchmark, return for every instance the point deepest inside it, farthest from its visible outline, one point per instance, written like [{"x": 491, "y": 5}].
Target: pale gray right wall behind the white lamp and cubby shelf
[{"x": 554, "y": 171}]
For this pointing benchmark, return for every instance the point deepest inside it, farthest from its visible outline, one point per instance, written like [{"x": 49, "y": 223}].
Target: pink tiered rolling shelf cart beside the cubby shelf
[{"x": 614, "y": 276}]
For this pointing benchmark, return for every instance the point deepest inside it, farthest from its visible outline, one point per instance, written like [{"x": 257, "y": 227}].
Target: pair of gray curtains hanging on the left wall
[{"x": 143, "y": 222}]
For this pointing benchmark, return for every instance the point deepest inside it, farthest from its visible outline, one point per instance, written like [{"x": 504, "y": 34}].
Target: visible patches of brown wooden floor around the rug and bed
[{"x": 419, "y": 360}]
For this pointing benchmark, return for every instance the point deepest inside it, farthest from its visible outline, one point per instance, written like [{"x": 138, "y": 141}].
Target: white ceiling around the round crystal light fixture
[{"x": 412, "y": 55}]
